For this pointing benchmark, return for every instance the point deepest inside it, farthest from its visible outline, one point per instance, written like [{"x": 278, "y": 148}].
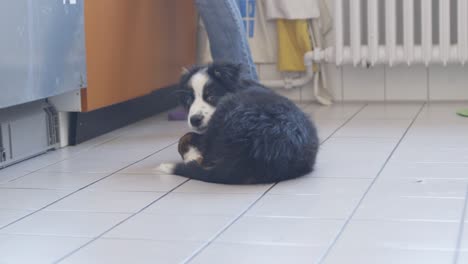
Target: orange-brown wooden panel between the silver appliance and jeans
[{"x": 134, "y": 47}]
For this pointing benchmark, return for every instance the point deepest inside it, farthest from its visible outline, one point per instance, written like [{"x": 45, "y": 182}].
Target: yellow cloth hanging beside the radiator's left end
[{"x": 293, "y": 43}]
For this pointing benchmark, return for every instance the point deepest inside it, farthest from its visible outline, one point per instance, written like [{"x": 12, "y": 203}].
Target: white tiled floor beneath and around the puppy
[{"x": 390, "y": 187}]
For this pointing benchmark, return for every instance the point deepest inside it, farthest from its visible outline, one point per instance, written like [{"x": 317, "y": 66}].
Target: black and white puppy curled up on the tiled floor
[{"x": 249, "y": 134}]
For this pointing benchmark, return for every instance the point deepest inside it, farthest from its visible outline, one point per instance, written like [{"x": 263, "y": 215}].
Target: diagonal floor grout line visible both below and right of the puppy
[{"x": 208, "y": 243}]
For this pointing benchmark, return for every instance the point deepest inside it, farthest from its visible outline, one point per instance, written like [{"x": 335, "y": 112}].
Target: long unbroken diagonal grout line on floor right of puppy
[{"x": 348, "y": 220}]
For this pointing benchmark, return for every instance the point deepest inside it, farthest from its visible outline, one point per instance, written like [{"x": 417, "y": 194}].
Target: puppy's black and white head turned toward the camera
[{"x": 203, "y": 87}]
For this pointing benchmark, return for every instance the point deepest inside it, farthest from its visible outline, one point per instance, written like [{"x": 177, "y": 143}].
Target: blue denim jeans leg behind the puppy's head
[{"x": 226, "y": 32}]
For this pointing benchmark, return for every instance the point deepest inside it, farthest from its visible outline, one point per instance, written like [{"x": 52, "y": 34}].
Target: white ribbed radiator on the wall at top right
[{"x": 390, "y": 32}]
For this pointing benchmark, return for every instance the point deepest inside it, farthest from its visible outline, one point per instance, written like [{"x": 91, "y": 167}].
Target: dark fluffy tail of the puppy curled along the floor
[{"x": 220, "y": 173}]
